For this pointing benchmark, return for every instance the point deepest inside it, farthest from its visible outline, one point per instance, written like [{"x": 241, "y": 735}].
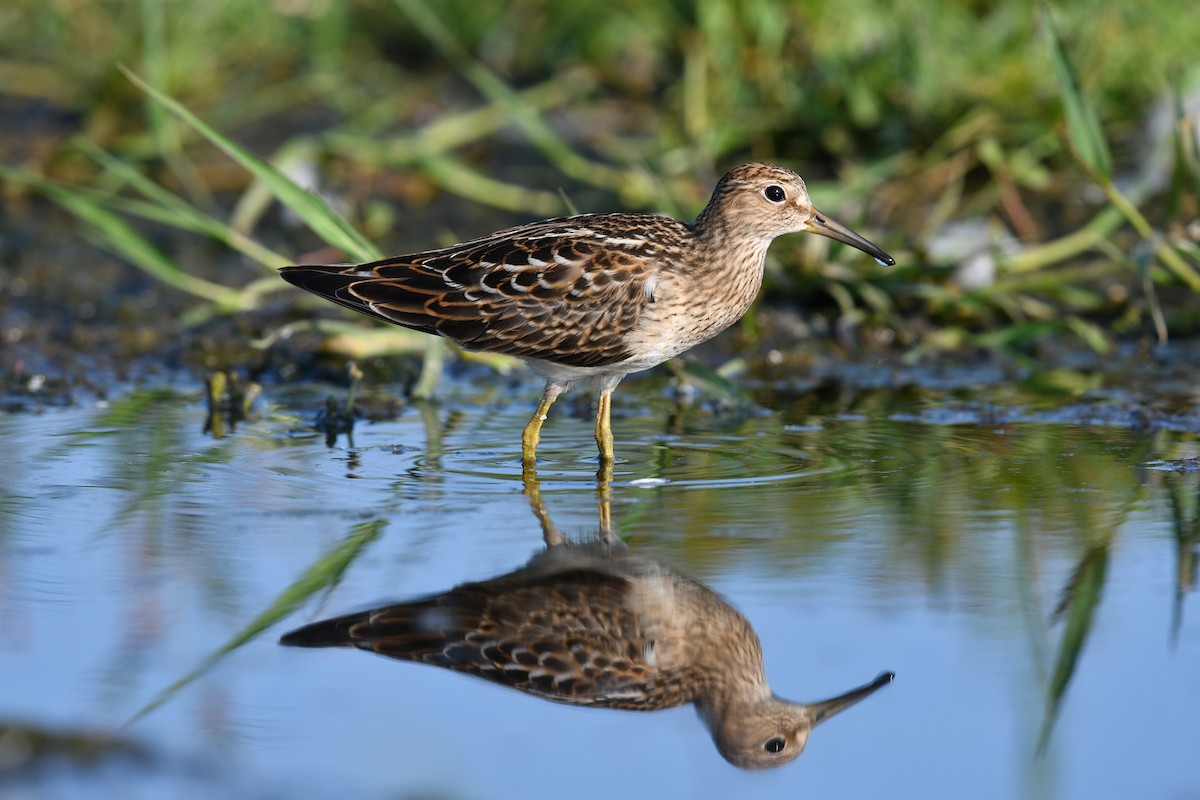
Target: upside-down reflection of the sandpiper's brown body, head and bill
[{"x": 585, "y": 627}]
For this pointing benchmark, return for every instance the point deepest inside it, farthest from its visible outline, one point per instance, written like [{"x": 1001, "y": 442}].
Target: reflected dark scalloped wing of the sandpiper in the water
[{"x": 568, "y": 637}]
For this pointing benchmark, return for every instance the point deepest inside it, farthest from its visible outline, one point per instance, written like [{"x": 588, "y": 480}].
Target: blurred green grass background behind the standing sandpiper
[{"x": 1071, "y": 130}]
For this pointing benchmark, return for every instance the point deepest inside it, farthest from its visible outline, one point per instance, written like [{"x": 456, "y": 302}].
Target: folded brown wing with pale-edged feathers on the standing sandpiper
[{"x": 566, "y": 291}]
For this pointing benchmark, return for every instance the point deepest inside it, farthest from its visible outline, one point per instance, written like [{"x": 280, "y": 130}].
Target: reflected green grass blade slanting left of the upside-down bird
[{"x": 327, "y": 572}]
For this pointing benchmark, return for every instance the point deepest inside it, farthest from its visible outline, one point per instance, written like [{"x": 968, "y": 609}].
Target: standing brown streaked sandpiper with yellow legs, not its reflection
[{"x": 592, "y": 298}]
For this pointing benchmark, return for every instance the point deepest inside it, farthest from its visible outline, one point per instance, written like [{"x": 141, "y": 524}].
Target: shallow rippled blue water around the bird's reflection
[{"x": 925, "y": 533}]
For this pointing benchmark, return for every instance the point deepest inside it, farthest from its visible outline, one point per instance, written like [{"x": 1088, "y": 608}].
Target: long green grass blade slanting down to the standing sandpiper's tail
[{"x": 332, "y": 227}]
